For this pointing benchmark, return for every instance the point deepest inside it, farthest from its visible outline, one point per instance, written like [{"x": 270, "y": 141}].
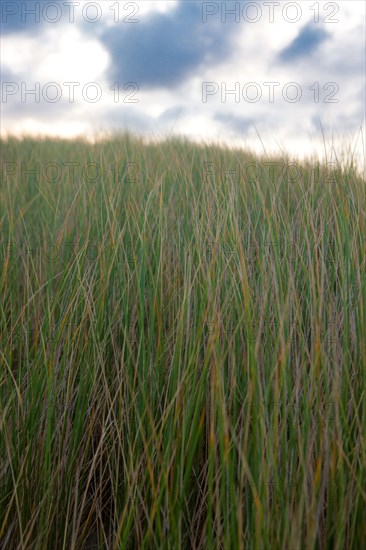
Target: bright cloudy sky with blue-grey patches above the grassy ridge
[{"x": 273, "y": 76}]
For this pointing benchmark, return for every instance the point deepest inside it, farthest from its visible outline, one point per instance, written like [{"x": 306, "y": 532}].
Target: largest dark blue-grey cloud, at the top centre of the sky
[{"x": 164, "y": 49}]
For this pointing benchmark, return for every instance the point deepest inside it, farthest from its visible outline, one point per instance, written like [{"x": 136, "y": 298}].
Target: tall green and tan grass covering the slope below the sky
[{"x": 183, "y": 348}]
